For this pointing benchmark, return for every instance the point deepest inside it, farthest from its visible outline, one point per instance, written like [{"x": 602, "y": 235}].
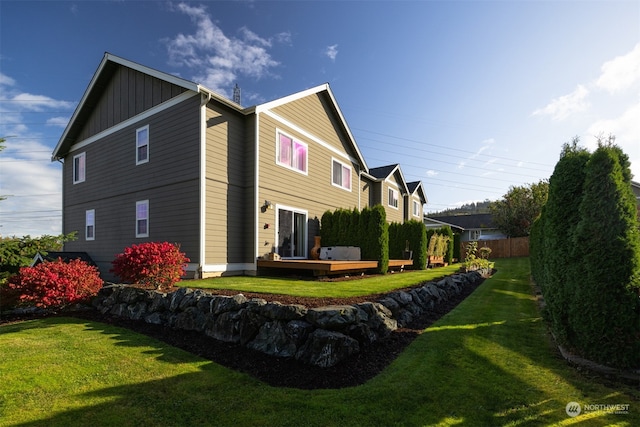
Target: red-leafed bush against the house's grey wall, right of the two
[{"x": 151, "y": 264}]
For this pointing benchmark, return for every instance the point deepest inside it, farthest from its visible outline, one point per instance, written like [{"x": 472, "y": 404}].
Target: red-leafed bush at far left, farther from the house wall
[{"x": 56, "y": 283}]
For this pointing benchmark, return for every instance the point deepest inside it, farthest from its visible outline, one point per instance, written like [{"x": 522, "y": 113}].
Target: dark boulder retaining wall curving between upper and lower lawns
[{"x": 317, "y": 336}]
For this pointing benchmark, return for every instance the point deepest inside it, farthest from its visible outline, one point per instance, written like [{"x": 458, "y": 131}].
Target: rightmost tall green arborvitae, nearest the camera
[{"x": 604, "y": 307}]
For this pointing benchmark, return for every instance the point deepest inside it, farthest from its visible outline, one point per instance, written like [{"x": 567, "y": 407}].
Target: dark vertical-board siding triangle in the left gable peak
[{"x": 128, "y": 93}]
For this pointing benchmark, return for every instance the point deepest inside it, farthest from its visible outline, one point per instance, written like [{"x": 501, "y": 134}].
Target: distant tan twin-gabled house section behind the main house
[{"x": 402, "y": 201}]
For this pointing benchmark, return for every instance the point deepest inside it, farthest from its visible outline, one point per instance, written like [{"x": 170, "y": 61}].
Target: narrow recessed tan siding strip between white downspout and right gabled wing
[{"x": 228, "y": 228}]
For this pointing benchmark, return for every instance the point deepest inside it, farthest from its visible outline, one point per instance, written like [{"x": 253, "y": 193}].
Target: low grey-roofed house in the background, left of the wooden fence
[{"x": 470, "y": 226}]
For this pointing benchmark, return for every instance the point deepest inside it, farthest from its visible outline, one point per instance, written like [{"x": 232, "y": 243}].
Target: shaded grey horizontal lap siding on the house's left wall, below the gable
[{"x": 114, "y": 183}]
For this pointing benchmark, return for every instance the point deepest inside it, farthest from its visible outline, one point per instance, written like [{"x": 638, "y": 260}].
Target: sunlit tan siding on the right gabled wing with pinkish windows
[{"x": 312, "y": 192}]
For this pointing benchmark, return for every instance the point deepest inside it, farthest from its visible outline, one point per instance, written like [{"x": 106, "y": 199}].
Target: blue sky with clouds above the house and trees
[{"x": 470, "y": 97}]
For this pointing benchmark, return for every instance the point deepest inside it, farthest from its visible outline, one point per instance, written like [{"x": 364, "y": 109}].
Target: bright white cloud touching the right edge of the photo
[{"x": 621, "y": 72}]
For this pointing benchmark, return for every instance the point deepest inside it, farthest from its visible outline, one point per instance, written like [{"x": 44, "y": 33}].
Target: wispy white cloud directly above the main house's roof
[{"x": 217, "y": 60}]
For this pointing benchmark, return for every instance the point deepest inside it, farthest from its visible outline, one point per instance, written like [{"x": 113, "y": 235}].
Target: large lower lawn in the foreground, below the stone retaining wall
[{"x": 487, "y": 363}]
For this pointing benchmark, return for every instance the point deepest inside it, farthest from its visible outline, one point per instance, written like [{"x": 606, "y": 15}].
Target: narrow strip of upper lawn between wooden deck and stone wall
[{"x": 309, "y": 288}]
